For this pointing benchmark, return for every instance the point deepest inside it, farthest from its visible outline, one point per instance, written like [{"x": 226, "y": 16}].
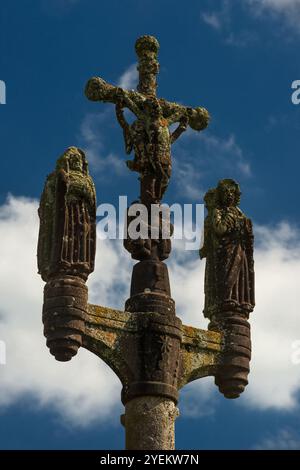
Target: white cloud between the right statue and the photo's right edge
[{"x": 275, "y": 380}]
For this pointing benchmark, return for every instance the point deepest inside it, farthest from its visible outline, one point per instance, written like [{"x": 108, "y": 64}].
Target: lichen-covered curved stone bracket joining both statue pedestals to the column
[{"x": 114, "y": 335}]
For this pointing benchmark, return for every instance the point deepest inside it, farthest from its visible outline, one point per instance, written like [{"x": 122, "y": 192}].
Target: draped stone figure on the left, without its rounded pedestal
[{"x": 67, "y": 214}]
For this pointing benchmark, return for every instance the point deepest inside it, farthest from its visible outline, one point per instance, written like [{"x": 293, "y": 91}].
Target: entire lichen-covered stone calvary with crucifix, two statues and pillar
[{"x": 146, "y": 345}]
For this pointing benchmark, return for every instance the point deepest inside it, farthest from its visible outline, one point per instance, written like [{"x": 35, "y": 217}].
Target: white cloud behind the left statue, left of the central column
[{"x": 82, "y": 390}]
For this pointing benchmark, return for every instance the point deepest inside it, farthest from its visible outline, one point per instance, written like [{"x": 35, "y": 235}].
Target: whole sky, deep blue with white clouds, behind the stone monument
[{"x": 238, "y": 59}]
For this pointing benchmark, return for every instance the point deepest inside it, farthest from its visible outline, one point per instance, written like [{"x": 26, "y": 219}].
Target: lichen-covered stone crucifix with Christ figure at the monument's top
[{"x": 149, "y": 135}]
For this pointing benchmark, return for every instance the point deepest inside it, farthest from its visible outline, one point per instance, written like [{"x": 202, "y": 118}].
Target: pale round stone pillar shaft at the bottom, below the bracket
[{"x": 150, "y": 423}]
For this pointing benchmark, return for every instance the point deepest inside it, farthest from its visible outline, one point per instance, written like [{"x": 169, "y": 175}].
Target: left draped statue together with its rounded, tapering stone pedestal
[{"x": 66, "y": 251}]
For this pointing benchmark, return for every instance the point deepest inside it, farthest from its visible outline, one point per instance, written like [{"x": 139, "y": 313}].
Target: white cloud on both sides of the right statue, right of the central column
[{"x": 274, "y": 380}]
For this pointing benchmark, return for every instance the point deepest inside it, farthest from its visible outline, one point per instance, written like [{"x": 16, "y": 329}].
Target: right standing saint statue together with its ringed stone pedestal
[{"x": 229, "y": 282}]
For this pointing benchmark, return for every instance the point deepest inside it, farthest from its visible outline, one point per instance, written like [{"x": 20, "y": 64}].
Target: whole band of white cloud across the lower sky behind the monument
[{"x": 85, "y": 389}]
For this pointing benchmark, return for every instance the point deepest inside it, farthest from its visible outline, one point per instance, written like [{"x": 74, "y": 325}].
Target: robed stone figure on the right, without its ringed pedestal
[{"x": 228, "y": 248}]
